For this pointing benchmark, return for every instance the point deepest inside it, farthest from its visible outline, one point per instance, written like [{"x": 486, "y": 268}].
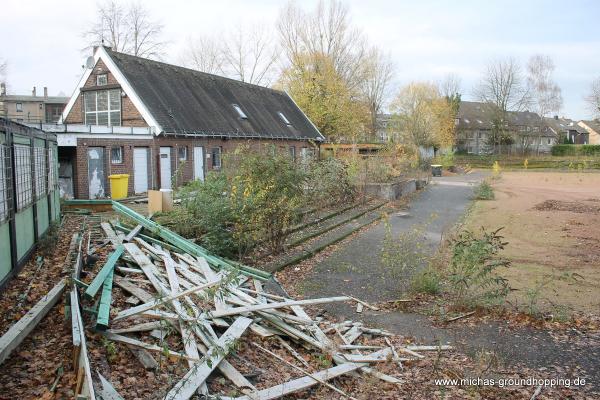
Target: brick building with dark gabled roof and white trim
[{"x": 165, "y": 124}]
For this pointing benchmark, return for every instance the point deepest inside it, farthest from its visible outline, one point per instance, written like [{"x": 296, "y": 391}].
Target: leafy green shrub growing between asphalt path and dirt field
[{"x": 472, "y": 273}]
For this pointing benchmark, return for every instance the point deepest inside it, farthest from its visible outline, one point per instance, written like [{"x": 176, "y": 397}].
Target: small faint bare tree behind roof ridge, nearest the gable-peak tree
[{"x": 203, "y": 54}]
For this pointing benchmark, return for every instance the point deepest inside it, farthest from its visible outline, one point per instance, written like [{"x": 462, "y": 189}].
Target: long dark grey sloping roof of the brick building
[{"x": 185, "y": 101}]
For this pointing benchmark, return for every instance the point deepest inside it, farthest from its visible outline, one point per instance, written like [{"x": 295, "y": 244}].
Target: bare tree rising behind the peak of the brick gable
[{"x": 126, "y": 29}]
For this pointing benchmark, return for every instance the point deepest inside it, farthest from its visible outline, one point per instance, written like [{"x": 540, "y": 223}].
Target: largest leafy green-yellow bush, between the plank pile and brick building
[{"x": 255, "y": 202}]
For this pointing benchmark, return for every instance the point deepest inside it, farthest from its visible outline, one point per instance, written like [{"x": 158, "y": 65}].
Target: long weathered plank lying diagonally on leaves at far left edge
[{"x": 19, "y": 331}]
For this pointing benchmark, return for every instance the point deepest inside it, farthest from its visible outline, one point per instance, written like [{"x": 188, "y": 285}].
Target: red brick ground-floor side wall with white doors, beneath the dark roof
[{"x": 184, "y": 170}]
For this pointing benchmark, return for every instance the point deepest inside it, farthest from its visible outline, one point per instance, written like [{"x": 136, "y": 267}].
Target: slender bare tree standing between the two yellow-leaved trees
[{"x": 378, "y": 73}]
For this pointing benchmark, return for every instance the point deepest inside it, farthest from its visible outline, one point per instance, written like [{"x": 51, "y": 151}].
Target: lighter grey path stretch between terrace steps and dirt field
[{"x": 357, "y": 268}]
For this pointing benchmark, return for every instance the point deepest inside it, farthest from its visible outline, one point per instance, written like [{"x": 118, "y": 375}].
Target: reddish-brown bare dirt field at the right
[{"x": 552, "y": 224}]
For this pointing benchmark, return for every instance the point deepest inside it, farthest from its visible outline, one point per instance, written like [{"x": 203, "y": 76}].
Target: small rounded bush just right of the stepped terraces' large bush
[{"x": 328, "y": 183}]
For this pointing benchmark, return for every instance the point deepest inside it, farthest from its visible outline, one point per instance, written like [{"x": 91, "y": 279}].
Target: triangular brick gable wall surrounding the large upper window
[{"x": 130, "y": 116}]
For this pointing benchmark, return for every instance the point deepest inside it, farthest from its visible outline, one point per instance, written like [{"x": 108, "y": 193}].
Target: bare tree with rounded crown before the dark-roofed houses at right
[{"x": 503, "y": 86}]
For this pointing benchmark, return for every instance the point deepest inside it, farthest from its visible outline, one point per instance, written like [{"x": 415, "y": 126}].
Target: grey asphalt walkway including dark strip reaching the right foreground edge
[{"x": 356, "y": 269}]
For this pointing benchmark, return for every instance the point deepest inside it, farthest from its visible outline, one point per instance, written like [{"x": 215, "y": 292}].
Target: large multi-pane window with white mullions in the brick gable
[{"x": 103, "y": 107}]
